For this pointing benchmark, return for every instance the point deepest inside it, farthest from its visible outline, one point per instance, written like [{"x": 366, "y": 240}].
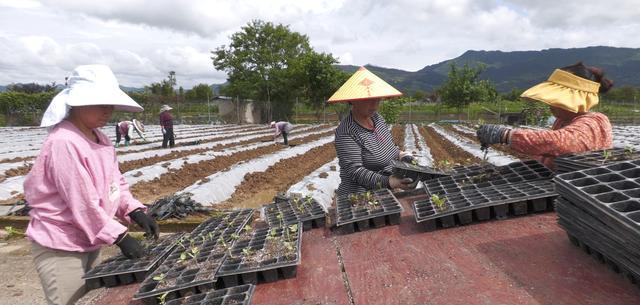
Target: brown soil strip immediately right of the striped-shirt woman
[{"x": 445, "y": 152}]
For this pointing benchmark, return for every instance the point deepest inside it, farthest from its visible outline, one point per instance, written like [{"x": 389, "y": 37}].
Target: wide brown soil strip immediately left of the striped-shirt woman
[{"x": 259, "y": 188}]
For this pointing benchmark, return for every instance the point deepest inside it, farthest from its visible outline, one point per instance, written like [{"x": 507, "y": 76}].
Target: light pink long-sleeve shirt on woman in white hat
[{"x": 75, "y": 190}]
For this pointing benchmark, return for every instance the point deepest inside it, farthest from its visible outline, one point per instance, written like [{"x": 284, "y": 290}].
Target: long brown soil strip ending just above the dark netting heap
[{"x": 177, "y": 179}]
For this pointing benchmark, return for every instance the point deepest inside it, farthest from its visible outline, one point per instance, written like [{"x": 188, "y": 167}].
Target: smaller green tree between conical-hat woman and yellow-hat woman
[{"x": 464, "y": 86}]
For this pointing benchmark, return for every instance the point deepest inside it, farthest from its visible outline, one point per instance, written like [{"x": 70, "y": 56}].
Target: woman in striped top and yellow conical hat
[{"x": 363, "y": 141}]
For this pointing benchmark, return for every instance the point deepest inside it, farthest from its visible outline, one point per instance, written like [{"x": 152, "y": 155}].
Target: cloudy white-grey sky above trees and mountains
[{"x": 41, "y": 41}]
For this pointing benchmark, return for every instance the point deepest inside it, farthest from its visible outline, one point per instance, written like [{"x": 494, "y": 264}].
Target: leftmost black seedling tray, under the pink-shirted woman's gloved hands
[{"x": 120, "y": 270}]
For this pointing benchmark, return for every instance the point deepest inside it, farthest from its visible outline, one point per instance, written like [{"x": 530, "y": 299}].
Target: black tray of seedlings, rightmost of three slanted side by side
[{"x": 240, "y": 268}]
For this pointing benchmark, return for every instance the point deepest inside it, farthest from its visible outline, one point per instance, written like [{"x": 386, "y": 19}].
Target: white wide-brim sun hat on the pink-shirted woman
[{"x": 88, "y": 85}]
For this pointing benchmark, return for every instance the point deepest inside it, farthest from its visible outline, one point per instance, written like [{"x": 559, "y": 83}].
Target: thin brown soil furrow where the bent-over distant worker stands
[{"x": 133, "y": 164}]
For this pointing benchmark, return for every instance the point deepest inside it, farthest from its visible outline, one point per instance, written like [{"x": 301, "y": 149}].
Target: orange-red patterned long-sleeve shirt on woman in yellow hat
[{"x": 590, "y": 131}]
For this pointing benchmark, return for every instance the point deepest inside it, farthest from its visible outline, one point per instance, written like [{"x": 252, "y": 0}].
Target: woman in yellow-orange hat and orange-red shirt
[{"x": 570, "y": 92}]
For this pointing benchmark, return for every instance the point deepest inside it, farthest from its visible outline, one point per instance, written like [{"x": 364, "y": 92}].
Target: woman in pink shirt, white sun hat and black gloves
[{"x": 75, "y": 188}]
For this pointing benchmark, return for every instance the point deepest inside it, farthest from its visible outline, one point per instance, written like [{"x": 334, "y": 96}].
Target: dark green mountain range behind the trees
[{"x": 518, "y": 69}]
